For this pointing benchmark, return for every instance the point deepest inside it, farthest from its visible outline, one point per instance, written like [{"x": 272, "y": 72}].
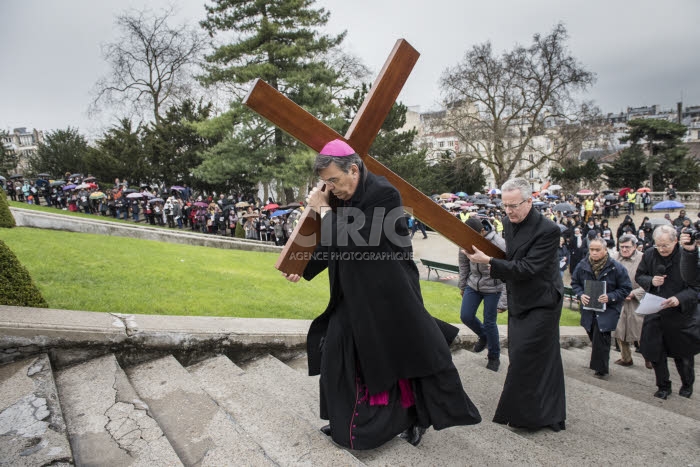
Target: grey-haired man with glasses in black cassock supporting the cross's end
[{"x": 533, "y": 394}]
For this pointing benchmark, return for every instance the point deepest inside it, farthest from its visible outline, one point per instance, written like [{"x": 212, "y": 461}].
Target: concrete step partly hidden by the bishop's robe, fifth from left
[{"x": 300, "y": 393}]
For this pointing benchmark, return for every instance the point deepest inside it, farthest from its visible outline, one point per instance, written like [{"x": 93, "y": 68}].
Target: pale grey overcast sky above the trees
[{"x": 643, "y": 52}]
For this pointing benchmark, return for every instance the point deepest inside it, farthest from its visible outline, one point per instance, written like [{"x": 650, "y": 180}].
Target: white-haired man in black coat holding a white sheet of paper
[{"x": 664, "y": 333}]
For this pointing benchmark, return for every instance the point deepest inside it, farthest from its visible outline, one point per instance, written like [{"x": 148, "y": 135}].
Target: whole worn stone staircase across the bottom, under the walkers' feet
[{"x": 111, "y": 411}]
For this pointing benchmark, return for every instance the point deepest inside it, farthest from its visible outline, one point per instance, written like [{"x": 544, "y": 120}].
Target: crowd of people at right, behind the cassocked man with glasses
[{"x": 630, "y": 262}]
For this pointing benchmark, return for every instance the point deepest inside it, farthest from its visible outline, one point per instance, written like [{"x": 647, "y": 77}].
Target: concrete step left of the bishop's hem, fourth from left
[{"x": 286, "y": 438}]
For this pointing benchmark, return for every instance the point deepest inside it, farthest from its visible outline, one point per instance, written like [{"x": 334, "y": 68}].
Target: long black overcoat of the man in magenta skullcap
[{"x": 394, "y": 335}]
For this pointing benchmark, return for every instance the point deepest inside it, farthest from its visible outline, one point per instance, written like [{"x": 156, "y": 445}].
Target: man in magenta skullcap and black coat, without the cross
[{"x": 385, "y": 363}]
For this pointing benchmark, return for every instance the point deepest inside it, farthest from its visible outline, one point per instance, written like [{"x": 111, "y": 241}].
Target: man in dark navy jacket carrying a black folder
[{"x": 600, "y": 313}]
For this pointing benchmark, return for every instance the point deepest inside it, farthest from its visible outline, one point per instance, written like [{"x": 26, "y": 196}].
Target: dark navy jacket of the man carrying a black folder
[{"x": 618, "y": 286}]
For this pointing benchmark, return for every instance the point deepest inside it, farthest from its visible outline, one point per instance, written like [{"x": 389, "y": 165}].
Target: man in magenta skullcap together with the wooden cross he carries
[{"x": 385, "y": 363}]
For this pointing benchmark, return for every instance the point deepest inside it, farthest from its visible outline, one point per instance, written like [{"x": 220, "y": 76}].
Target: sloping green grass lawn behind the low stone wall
[{"x": 114, "y": 274}]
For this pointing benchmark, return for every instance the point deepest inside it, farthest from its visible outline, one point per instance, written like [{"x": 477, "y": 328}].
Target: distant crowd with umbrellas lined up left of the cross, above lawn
[{"x": 174, "y": 207}]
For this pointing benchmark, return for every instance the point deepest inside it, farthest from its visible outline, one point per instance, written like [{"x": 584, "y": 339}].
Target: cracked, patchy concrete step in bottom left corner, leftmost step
[{"x": 32, "y": 429}]
